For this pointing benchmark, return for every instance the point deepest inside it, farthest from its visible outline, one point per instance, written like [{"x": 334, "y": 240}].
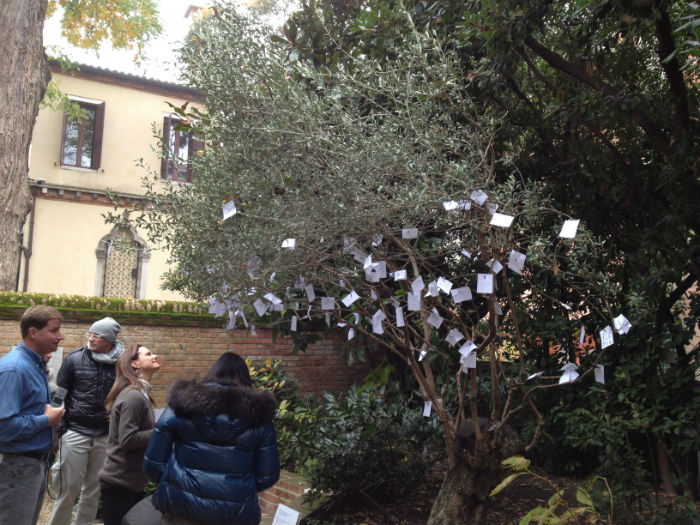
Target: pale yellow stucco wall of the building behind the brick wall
[{"x": 67, "y": 230}]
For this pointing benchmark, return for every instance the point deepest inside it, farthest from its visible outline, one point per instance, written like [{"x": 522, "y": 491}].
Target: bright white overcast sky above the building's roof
[{"x": 159, "y": 55}]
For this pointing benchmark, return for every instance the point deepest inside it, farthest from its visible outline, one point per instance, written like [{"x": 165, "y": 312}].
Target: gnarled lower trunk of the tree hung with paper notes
[{"x": 466, "y": 486}]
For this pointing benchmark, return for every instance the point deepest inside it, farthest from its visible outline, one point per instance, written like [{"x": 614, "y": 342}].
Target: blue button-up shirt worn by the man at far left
[{"x": 24, "y": 393}]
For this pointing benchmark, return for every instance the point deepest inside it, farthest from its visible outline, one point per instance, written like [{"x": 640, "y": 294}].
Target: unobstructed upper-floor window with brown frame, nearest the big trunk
[{"x": 81, "y": 146}]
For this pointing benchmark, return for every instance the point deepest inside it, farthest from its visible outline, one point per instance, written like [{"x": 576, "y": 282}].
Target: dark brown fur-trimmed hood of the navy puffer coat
[{"x": 188, "y": 399}]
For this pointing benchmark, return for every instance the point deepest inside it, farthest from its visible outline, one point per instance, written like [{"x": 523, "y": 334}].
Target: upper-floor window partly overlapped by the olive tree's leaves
[{"x": 179, "y": 147}]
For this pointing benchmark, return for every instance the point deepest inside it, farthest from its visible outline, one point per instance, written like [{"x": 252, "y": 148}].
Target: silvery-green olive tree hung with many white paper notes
[{"x": 365, "y": 197}]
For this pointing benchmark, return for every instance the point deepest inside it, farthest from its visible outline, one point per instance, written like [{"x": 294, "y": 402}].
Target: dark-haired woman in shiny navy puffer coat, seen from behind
[{"x": 214, "y": 448}]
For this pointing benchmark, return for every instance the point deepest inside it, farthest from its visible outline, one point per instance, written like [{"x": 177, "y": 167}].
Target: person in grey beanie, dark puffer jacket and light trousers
[{"x": 88, "y": 375}]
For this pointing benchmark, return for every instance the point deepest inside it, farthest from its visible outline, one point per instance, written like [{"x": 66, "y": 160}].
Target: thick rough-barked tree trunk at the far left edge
[{"x": 26, "y": 73}]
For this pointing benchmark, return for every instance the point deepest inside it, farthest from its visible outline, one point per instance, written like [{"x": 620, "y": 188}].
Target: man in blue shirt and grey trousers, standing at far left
[{"x": 27, "y": 417}]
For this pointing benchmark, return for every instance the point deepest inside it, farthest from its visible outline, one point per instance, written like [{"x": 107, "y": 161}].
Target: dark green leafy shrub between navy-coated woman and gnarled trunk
[{"x": 369, "y": 441}]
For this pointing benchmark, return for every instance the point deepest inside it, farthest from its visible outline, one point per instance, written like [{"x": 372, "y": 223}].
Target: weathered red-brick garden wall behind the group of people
[{"x": 191, "y": 350}]
